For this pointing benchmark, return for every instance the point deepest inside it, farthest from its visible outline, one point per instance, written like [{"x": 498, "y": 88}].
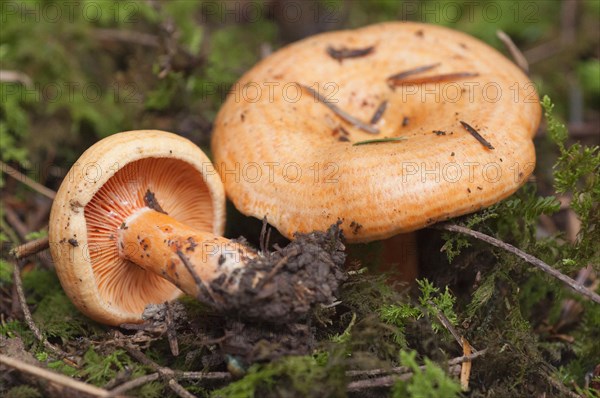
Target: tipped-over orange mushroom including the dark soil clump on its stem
[{"x": 139, "y": 219}]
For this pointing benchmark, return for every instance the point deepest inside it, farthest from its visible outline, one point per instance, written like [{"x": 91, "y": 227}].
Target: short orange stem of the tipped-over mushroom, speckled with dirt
[{"x": 160, "y": 244}]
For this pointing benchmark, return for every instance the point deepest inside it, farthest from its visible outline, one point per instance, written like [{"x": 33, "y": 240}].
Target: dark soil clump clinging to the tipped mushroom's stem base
[{"x": 308, "y": 271}]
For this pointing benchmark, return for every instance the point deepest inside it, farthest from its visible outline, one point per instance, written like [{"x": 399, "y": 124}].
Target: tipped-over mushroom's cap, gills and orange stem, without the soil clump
[{"x": 117, "y": 224}]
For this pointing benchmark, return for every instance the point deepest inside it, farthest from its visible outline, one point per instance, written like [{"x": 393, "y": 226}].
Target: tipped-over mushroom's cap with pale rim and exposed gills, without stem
[{"x": 108, "y": 183}]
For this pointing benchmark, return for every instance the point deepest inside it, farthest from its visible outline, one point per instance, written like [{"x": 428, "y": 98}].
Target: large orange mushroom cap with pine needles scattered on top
[{"x": 389, "y": 128}]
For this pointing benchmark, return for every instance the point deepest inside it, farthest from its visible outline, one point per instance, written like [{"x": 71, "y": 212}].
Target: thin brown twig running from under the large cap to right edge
[{"x": 579, "y": 288}]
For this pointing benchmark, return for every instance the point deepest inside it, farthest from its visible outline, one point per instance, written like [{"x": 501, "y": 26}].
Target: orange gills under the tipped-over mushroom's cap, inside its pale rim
[{"x": 179, "y": 190}]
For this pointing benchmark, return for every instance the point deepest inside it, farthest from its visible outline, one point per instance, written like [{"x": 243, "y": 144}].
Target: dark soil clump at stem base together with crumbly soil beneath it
[{"x": 273, "y": 319}]
